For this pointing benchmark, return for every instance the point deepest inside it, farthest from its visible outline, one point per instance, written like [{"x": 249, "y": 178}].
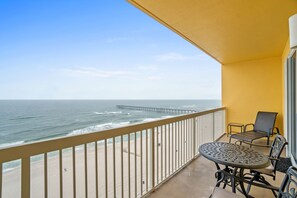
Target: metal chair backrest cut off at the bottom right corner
[{"x": 288, "y": 188}]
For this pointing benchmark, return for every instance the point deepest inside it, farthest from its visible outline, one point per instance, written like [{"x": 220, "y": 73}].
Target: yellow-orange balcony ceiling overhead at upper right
[{"x": 229, "y": 31}]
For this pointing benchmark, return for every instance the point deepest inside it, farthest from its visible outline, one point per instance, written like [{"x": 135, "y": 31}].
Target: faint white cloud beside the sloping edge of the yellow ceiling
[{"x": 172, "y": 56}]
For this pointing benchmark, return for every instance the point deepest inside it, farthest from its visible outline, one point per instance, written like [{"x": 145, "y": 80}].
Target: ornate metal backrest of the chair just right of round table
[{"x": 276, "y": 149}]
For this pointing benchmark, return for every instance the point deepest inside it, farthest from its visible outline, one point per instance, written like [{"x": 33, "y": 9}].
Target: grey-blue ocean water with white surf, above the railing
[{"x": 23, "y": 121}]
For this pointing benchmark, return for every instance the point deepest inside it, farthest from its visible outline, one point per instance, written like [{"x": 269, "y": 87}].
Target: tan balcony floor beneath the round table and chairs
[{"x": 197, "y": 180}]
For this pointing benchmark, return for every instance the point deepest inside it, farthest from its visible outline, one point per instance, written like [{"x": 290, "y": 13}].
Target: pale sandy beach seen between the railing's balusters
[{"x": 12, "y": 178}]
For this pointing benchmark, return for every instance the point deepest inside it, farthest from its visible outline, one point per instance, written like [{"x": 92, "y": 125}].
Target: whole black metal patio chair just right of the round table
[{"x": 257, "y": 175}]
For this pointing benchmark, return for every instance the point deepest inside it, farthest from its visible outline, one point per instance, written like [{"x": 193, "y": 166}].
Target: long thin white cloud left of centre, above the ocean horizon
[{"x": 93, "y": 72}]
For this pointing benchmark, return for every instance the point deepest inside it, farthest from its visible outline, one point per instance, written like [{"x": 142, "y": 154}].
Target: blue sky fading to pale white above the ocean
[{"x": 97, "y": 49}]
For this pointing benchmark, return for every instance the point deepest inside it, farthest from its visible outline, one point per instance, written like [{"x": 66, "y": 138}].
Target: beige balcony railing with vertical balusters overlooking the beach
[{"x": 129, "y": 161}]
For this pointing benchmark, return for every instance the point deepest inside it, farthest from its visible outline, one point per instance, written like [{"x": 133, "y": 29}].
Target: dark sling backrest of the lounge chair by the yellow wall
[{"x": 265, "y": 121}]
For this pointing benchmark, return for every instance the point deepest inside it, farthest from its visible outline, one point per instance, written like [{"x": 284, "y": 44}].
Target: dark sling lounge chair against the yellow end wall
[{"x": 263, "y": 127}]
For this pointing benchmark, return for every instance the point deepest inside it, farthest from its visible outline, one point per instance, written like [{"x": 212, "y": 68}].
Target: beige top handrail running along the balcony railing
[{"x": 44, "y": 146}]
